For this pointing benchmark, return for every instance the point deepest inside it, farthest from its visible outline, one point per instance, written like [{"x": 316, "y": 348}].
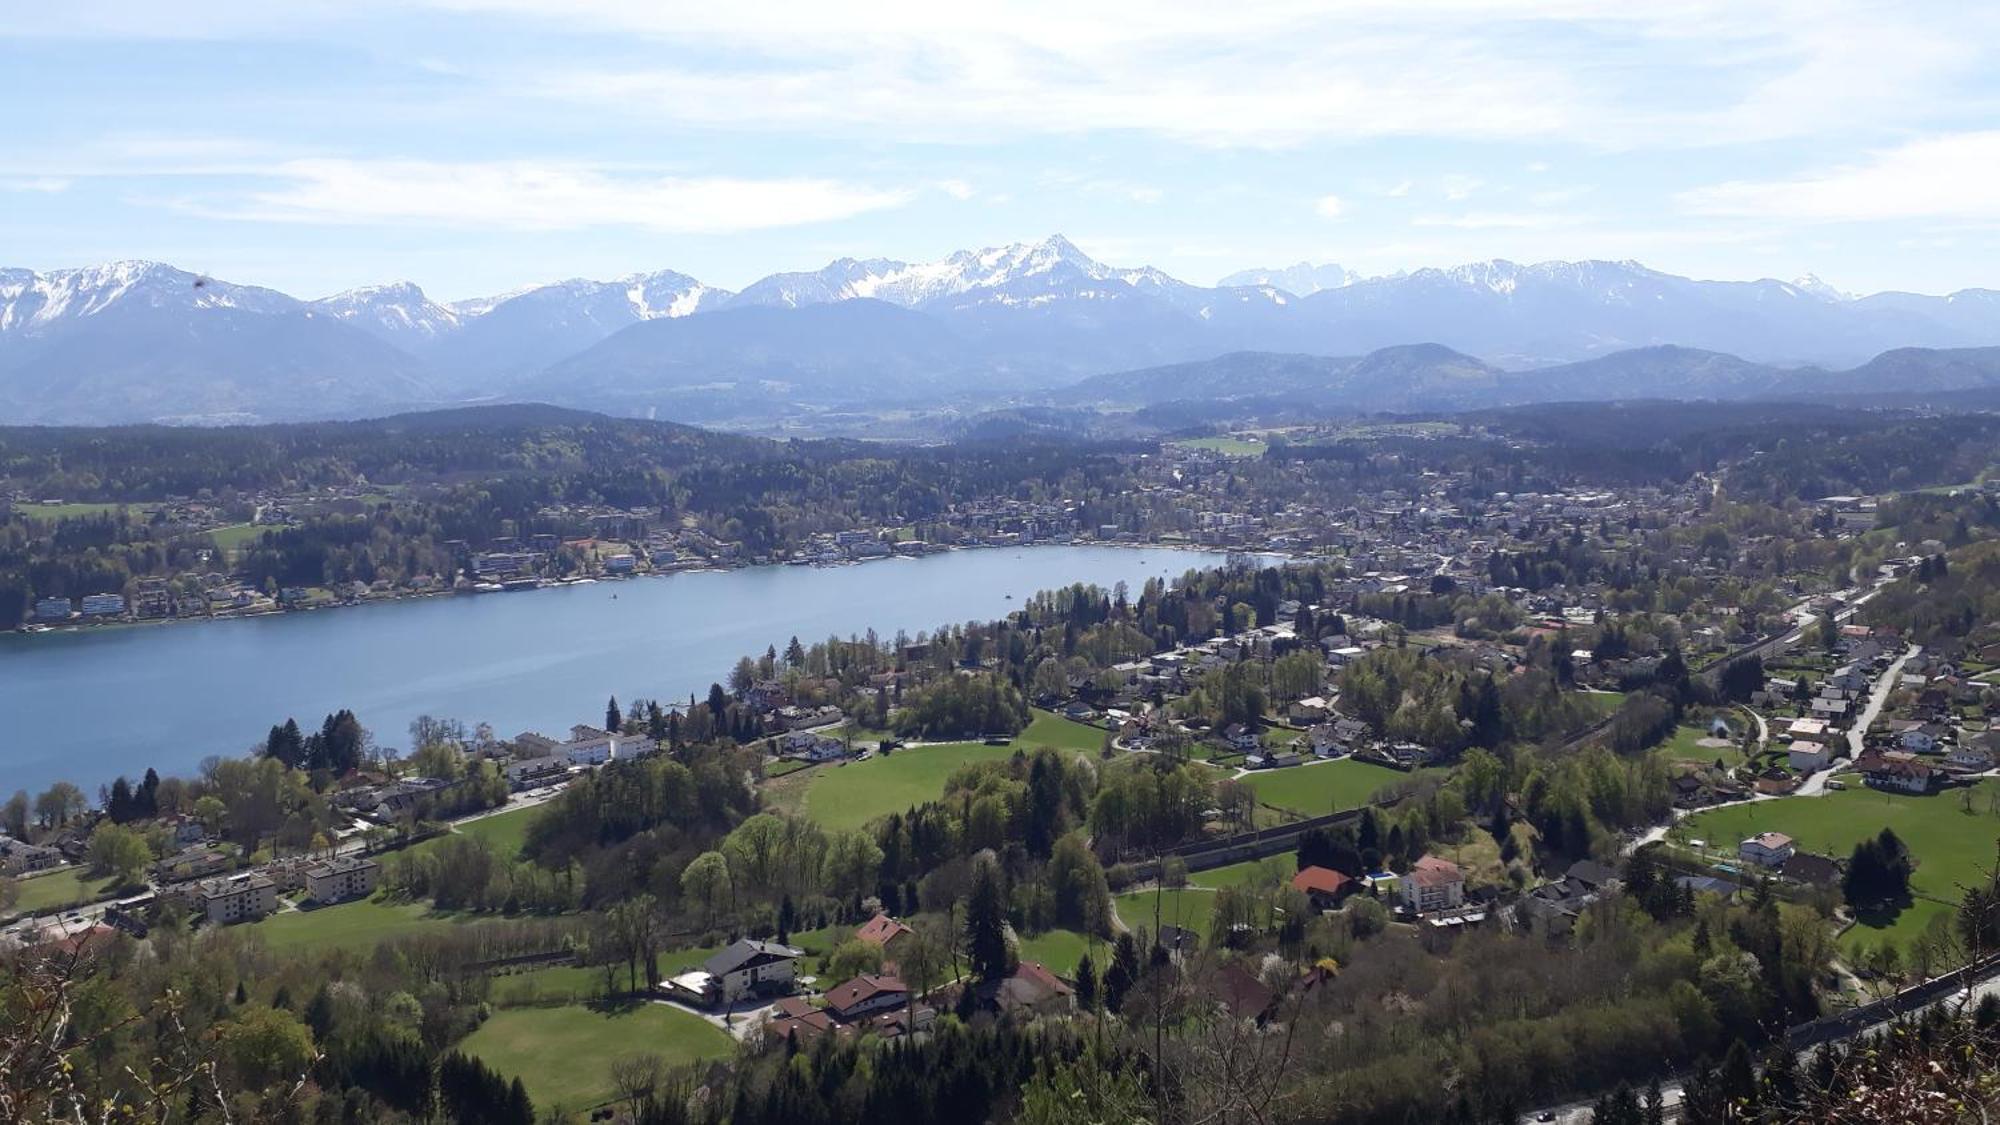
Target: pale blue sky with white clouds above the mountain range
[{"x": 485, "y": 145}]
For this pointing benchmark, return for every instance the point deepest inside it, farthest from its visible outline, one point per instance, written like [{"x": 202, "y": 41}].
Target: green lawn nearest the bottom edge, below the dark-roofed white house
[{"x": 565, "y": 1054}]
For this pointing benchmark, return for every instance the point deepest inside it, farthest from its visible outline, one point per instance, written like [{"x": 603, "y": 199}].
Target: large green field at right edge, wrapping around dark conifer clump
[{"x": 1953, "y": 848}]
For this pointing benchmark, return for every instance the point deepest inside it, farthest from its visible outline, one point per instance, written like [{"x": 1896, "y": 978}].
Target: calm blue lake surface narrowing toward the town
[{"x": 103, "y": 702}]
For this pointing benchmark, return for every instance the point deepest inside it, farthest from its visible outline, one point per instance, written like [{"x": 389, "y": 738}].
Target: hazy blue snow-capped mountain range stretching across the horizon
[{"x": 1025, "y": 323}]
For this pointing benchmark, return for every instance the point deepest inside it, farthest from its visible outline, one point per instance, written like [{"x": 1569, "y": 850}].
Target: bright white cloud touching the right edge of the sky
[{"x": 1943, "y": 177}]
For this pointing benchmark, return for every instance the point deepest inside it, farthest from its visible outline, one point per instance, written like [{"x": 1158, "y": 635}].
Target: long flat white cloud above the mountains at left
[{"x": 539, "y": 197}]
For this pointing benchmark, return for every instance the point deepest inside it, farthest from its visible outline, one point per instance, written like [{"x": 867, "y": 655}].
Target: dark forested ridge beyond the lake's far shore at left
[{"x": 141, "y": 463}]
